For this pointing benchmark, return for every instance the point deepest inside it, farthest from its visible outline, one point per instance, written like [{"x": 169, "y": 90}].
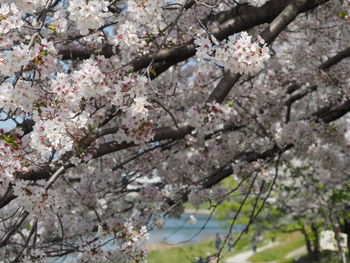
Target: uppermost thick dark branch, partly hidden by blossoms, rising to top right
[{"x": 248, "y": 17}]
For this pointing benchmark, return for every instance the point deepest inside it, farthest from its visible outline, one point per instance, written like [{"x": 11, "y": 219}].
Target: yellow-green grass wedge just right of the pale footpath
[{"x": 286, "y": 244}]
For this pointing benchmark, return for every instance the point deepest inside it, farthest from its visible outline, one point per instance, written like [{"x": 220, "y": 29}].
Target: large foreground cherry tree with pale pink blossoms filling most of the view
[{"x": 125, "y": 110}]
